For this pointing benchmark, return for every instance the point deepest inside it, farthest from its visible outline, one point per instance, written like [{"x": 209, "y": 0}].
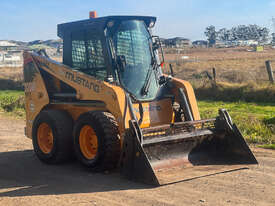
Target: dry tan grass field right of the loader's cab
[{"x": 236, "y": 65}]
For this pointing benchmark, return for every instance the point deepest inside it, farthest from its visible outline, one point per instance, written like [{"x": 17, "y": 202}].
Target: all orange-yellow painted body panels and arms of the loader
[{"x": 88, "y": 88}]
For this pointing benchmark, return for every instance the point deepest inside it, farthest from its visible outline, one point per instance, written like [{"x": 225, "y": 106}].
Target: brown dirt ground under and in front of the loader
[{"x": 24, "y": 180}]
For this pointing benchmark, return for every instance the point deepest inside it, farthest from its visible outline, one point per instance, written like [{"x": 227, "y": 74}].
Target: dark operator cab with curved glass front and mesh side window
[{"x": 117, "y": 49}]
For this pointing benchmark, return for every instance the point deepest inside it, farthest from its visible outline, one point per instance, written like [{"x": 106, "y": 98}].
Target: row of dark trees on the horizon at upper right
[{"x": 241, "y": 32}]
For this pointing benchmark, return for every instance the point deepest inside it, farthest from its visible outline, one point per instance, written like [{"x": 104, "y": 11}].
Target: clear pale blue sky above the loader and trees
[{"x": 28, "y": 20}]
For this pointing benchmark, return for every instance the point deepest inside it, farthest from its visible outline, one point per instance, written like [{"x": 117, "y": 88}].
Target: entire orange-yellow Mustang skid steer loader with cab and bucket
[{"x": 111, "y": 106}]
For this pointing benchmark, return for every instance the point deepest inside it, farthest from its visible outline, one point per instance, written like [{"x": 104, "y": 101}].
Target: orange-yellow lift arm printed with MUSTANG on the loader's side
[{"x": 86, "y": 87}]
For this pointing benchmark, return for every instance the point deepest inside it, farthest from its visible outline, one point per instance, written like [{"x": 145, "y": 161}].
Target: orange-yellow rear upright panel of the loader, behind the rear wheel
[{"x": 36, "y": 96}]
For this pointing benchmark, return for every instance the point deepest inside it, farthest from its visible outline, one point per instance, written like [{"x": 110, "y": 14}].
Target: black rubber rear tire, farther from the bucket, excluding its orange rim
[{"x": 61, "y": 124}]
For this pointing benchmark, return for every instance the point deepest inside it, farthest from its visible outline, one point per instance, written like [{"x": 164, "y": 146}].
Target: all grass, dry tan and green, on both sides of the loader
[{"x": 247, "y": 100}]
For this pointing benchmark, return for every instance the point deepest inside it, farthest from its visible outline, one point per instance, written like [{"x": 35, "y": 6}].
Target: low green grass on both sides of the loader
[{"x": 255, "y": 120}]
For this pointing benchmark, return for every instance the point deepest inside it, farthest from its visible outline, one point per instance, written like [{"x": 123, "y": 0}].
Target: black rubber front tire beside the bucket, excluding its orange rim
[{"x": 106, "y": 129}]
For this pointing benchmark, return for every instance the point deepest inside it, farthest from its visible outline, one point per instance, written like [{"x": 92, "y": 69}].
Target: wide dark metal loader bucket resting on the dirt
[{"x": 183, "y": 151}]
